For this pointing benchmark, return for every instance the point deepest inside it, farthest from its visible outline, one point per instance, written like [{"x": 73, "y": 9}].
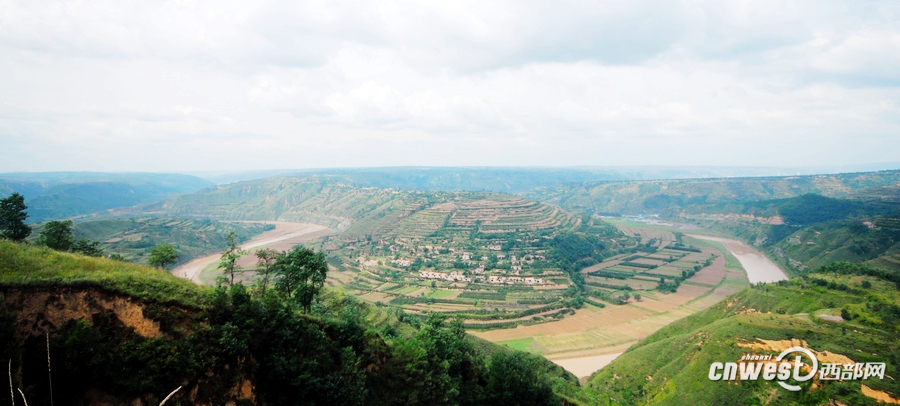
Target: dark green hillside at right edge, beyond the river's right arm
[{"x": 811, "y": 230}]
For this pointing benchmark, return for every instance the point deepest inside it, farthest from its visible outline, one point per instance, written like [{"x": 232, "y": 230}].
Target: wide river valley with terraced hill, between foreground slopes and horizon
[{"x": 554, "y": 278}]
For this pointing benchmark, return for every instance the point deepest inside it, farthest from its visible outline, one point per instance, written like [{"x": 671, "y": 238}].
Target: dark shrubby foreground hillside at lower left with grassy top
[{"x": 125, "y": 334}]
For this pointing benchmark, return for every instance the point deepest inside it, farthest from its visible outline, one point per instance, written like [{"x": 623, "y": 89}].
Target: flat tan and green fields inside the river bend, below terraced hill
[{"x": 593, "y": 336}]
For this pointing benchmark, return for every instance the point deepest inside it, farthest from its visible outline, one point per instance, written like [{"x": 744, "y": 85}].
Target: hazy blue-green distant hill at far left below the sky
[{"x": 59, "y": 195}]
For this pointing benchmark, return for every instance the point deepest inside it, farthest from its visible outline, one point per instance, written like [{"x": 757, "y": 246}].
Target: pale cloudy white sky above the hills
[{"x": 188, "y": 86}]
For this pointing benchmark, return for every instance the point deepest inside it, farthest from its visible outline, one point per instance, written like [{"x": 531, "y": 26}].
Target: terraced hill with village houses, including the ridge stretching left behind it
[{"x": 495, "y": 260}]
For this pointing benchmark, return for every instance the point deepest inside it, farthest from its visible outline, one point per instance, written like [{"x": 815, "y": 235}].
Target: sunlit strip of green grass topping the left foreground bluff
[{"x": 26, "y": 265}]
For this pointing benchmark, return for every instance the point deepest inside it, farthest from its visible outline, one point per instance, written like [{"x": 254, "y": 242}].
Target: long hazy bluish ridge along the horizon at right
[{"x": 636, "y": 197}]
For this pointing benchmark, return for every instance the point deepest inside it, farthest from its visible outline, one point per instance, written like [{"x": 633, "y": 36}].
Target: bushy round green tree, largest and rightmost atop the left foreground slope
[{"x": 302, "y": 274}]
